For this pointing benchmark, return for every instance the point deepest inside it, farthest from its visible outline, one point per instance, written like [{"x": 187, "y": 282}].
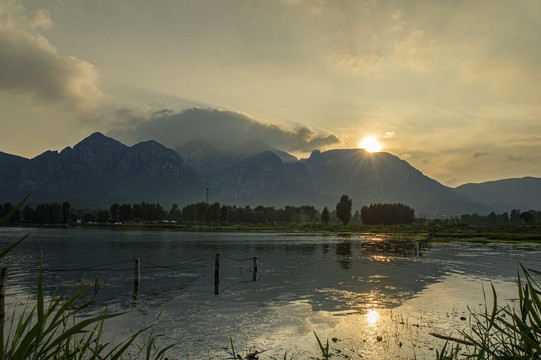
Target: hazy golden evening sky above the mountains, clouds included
[{"x": 452, "y": 87}]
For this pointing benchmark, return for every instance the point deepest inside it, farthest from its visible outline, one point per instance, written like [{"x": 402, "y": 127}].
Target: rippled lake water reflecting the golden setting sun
[{"x": 379, "y": 295}]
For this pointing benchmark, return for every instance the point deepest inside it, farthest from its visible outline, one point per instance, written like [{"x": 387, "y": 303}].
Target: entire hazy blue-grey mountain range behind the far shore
[{"x": 99, "y": 171}]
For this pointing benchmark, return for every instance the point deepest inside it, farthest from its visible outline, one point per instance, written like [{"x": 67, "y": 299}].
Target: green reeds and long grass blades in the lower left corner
[{"x": 52, "y": 331}]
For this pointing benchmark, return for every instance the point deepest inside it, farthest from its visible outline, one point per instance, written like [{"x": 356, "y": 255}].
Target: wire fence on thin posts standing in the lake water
[{"x": 134, "y": 280}]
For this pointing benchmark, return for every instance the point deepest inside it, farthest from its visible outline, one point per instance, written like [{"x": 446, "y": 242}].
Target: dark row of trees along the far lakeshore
[{"x": 215, "y": 213}]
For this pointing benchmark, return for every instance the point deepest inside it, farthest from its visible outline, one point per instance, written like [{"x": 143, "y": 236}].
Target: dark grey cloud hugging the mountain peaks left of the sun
[{"x": 221, "y": 128}]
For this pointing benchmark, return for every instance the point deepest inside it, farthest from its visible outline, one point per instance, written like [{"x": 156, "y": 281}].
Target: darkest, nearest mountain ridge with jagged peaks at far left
[{"x": 98, "y": 171}]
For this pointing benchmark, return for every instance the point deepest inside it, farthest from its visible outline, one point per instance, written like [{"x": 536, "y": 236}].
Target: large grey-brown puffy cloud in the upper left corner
[{"x": 31, "y": 66}]
